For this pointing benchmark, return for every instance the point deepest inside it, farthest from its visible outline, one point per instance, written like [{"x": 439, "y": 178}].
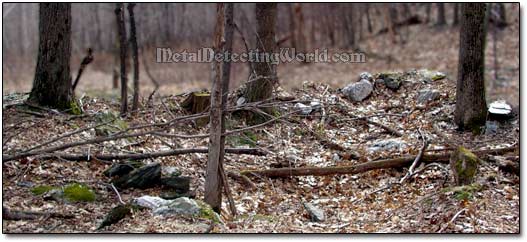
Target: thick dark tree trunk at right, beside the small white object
[{"x": 471, "y": 106}]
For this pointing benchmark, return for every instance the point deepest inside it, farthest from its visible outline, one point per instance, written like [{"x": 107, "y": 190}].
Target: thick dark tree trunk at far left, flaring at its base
[{"x": 52, "y": 83}]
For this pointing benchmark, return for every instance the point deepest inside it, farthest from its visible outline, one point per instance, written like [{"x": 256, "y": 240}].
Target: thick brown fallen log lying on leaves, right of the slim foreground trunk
[{"x": 364, "y": 167}]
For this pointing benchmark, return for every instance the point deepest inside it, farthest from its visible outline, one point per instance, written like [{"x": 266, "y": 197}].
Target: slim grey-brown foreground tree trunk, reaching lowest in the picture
[{"x": 213, "y": 181}]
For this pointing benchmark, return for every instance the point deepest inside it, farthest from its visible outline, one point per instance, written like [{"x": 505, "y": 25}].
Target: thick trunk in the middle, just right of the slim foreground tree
[{"x": 260, "y": 87}]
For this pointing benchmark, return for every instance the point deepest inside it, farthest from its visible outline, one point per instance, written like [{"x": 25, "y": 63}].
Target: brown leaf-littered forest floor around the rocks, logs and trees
[{"x": 352, "y": 203}]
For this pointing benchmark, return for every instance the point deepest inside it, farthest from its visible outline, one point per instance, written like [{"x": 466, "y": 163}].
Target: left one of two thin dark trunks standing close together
[{"x": 123, "y": 46}]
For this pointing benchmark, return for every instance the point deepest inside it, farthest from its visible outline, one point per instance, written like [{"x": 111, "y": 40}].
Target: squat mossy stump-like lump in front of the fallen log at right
[{"x": 464, "y": 165}]
